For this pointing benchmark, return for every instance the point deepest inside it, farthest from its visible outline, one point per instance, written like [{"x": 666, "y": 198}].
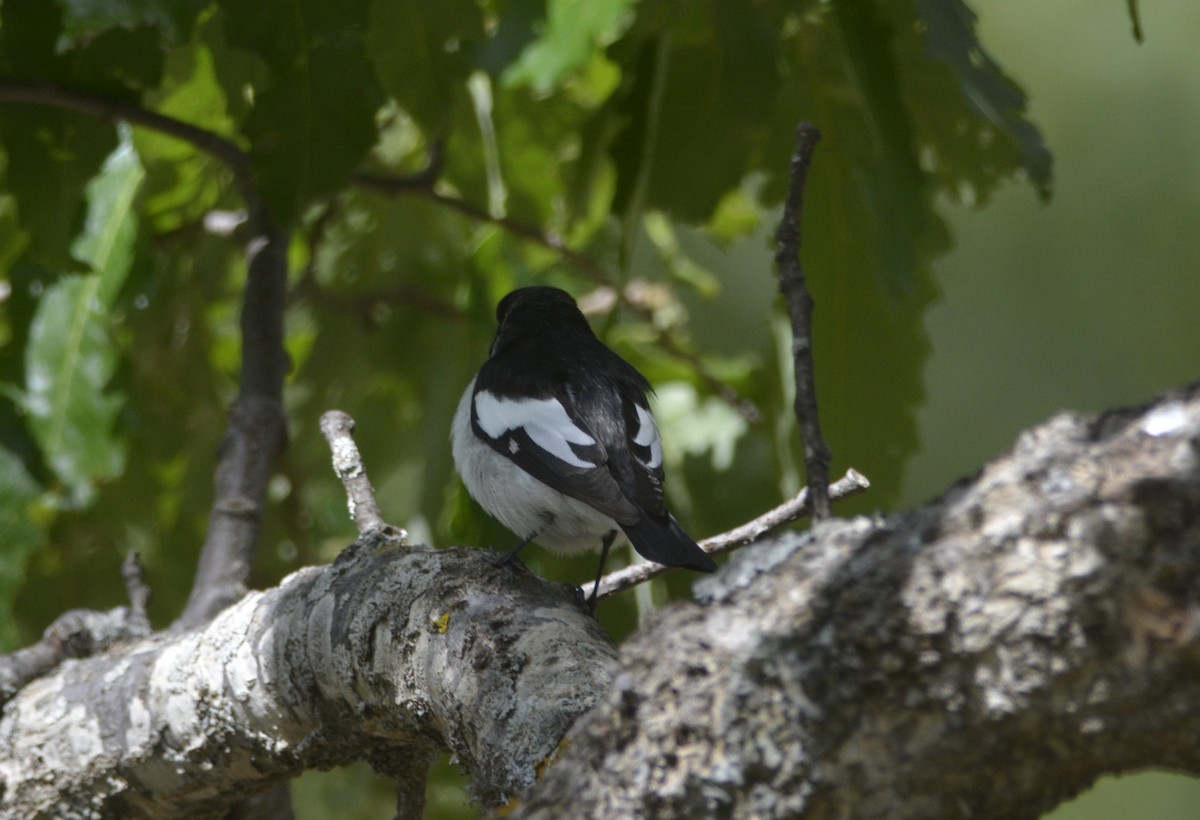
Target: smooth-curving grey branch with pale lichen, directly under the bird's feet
[{"x": 392, "y": 655}]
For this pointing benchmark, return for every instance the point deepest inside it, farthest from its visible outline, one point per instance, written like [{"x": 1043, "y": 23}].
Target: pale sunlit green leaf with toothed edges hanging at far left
[{"x": 70, "y": 358}]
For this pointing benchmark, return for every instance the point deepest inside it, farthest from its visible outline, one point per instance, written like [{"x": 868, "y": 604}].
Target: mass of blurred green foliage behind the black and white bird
[{"x": 653, "y": 139}]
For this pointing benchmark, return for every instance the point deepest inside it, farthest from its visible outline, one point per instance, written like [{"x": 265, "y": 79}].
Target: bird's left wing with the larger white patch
[{"x": 542, "y": 438}]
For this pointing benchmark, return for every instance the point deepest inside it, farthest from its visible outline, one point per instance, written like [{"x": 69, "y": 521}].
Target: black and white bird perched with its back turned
[{"x": 555, "y": 439}]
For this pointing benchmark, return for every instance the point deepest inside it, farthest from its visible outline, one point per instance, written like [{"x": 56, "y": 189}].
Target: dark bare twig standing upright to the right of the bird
[{"x": 800, "y": 307}]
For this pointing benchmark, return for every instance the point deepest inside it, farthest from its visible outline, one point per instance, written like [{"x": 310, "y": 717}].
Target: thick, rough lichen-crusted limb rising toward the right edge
[{"x": 989, "y": 655}]
